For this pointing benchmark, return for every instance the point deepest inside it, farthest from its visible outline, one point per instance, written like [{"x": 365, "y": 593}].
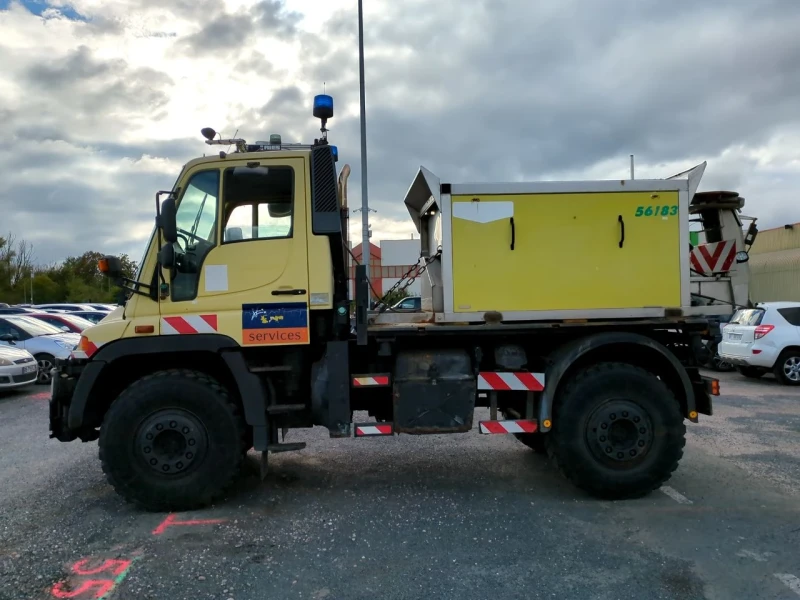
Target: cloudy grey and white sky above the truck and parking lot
[{"x": 102, "y": 101}]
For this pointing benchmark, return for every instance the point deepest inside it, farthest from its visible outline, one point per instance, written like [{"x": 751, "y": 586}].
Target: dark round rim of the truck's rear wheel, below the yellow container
[{"x": 618, "y": 432}]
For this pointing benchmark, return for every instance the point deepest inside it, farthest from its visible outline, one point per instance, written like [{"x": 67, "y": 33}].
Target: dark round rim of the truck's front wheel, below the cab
[{"x": 171, "y": 441}]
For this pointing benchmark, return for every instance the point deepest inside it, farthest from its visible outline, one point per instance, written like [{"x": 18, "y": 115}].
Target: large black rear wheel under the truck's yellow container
[{"x": 622, "y": 401}]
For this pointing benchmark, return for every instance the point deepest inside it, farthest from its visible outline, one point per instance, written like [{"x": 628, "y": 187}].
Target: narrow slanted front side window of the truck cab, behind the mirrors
[{"x": 196, "y": 219}]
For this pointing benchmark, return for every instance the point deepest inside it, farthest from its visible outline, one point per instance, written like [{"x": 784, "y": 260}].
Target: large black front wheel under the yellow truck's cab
[{"x": 202, "y": 436}]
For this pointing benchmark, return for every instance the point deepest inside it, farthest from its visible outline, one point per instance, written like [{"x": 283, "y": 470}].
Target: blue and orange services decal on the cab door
[{"x": 279, "y": 323}]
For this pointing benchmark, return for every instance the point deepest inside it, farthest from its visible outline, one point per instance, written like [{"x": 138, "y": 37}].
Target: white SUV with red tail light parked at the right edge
[{"x": 764, "y": 338}]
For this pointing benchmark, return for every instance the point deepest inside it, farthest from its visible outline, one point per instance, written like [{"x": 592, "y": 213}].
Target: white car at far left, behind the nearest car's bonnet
[{"x": 45, "y": 342}]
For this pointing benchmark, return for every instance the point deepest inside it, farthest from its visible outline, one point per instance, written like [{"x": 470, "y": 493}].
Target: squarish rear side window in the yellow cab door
[{"x": 258, "y": 203}]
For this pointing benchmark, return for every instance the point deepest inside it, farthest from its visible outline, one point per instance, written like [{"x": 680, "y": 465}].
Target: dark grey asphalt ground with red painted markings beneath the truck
[{"x": 467, "y": 517}]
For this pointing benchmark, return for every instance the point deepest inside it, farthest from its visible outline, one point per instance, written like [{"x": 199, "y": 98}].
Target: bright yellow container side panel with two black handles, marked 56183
[{"x": 578, "y": 251}]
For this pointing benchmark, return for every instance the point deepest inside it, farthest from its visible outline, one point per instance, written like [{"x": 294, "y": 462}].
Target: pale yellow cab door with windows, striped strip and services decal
[{"x": 249, "y": 278}]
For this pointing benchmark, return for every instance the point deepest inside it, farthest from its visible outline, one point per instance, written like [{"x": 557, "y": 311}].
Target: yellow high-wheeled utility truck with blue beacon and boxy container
[{"x": 564, "y": 310}]
